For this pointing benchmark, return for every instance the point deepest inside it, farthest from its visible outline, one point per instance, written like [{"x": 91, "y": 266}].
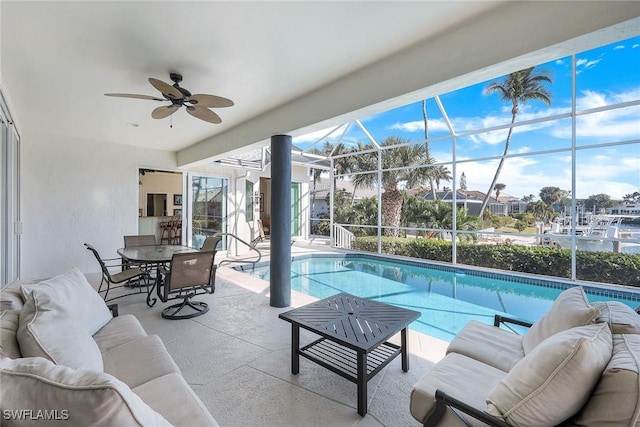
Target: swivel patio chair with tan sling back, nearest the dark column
[{"x": 189, "y": 274}]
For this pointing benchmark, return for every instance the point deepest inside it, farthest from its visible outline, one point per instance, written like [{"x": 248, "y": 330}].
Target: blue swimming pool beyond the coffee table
[{"x": 448, "y": 297}]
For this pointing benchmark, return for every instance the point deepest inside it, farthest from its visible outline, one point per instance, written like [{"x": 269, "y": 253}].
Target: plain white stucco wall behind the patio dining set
[{"x": 75, "y": 192}]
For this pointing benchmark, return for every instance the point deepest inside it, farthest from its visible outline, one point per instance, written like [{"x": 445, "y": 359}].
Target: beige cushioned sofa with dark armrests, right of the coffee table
[{"x": 577, "y": 366}]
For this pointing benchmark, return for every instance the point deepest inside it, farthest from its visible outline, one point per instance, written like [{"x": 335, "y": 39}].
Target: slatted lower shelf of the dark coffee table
[{"x": 344, "y": 361}]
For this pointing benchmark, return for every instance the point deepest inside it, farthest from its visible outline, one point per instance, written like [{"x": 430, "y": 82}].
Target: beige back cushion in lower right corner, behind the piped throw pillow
[{"x": 616, "y": 399}]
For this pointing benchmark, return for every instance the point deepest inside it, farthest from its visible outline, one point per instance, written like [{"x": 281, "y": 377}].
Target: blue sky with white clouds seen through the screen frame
[{"x": 604, "y": 76}]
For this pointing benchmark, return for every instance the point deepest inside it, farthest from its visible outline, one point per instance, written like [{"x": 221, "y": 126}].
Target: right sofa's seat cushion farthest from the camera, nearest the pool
[{"x": 494, "y": 346}]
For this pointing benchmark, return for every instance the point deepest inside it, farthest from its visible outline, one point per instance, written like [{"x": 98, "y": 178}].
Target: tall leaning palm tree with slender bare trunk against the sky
[{"x": 518, "y": 87}]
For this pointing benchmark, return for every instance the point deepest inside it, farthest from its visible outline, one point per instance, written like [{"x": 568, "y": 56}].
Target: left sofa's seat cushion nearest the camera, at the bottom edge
[{"x": 171, "y": 396}]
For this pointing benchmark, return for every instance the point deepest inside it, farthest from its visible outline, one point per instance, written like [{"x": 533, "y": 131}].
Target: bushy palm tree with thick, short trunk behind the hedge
[{"x": 412, "y": 156}]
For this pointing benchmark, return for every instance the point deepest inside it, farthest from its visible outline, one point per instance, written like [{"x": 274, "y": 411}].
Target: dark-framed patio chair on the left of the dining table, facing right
[{"x": 125, "y": 277}]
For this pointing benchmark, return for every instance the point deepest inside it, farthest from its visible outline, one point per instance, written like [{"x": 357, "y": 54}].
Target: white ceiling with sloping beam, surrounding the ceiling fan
[{"x": 277, "y": 60}]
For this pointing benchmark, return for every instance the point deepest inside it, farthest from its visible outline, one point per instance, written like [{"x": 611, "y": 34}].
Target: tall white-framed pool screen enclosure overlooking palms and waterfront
[{"x": 541, "y": 165}]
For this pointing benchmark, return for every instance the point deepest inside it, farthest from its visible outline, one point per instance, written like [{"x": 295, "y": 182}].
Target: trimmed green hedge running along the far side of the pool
[{"x": 604, "y": 267}]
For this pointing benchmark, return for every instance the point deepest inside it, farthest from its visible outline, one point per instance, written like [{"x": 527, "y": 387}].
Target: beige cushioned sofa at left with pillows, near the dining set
[{"x": 65, "y": 357}]
